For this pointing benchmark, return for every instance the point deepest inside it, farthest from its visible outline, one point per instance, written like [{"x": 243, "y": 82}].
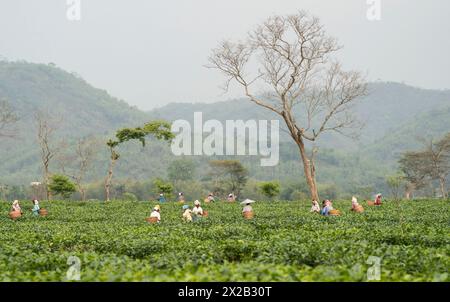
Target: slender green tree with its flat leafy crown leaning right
[{"x": 158, "y": 129}]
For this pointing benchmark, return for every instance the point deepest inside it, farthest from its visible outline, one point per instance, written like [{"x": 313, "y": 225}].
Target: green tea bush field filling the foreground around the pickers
[{"x": 284, "y": 242}]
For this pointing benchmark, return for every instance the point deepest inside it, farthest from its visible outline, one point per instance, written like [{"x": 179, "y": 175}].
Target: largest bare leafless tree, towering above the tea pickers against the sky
[{"x": 293, "y": 56}]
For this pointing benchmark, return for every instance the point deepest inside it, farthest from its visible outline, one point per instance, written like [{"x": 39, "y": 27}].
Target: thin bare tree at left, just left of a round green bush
[{"x": 46, "y": 127}]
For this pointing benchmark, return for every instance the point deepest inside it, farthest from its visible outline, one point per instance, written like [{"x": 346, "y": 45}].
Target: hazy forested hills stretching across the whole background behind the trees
[{"x": 398, "y": 118}]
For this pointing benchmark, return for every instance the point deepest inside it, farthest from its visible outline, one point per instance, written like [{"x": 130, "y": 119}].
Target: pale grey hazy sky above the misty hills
[{"x": 151, "y": 53}]
